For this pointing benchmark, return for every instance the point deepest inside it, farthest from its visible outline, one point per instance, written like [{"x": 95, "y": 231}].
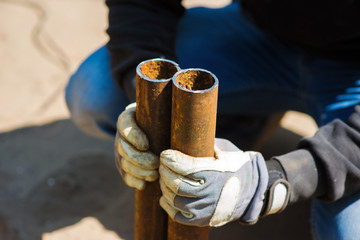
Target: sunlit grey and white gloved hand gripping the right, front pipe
[{"x": 213, "y": 191}]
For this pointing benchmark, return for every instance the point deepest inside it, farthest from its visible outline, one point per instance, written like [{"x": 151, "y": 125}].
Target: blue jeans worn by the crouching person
[{"x": 258, "y": 75}]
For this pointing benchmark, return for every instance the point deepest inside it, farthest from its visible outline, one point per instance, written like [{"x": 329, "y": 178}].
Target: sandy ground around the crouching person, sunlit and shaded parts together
[{"x": 56, "y": 182}]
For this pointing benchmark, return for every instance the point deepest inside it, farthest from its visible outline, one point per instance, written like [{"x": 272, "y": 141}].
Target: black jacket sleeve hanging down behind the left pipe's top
[{"x": 140, "y": 30}]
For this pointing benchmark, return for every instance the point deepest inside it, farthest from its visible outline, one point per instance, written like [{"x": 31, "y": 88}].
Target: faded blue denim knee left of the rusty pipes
[{"x": 93, "y": 98}]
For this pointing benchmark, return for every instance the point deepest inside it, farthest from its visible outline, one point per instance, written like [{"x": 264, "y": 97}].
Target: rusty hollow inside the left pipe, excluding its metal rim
[{"x": 158, "y": 69}]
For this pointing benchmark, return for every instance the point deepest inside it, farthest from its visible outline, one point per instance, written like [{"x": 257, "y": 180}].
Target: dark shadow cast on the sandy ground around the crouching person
[{"x": 52, "y": 176}]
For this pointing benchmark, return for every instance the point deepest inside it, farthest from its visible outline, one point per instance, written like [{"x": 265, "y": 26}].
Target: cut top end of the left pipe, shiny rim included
[{"x": 157, "y": 69}]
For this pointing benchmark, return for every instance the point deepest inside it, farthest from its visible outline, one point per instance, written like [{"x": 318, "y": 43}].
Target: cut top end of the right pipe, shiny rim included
[{"x": 195, "y": 80}]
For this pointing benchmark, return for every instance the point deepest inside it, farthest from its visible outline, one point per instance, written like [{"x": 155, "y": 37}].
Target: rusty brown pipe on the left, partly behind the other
[{"x": 153, "y": 114}]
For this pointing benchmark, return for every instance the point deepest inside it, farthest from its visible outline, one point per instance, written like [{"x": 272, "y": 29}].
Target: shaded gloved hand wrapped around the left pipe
[{"x": 134, "y": 161}]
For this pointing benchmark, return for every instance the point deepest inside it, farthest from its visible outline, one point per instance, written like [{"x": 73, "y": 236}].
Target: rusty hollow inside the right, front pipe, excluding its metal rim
[{"x": 195, "y": 80}]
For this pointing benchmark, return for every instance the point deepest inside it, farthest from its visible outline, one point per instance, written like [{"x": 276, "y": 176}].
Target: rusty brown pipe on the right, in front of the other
[{"x": 193, "y": 121}]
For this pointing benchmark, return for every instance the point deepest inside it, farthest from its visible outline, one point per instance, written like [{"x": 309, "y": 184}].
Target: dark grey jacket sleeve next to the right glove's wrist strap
[{"x": 327, "y": 165}]
